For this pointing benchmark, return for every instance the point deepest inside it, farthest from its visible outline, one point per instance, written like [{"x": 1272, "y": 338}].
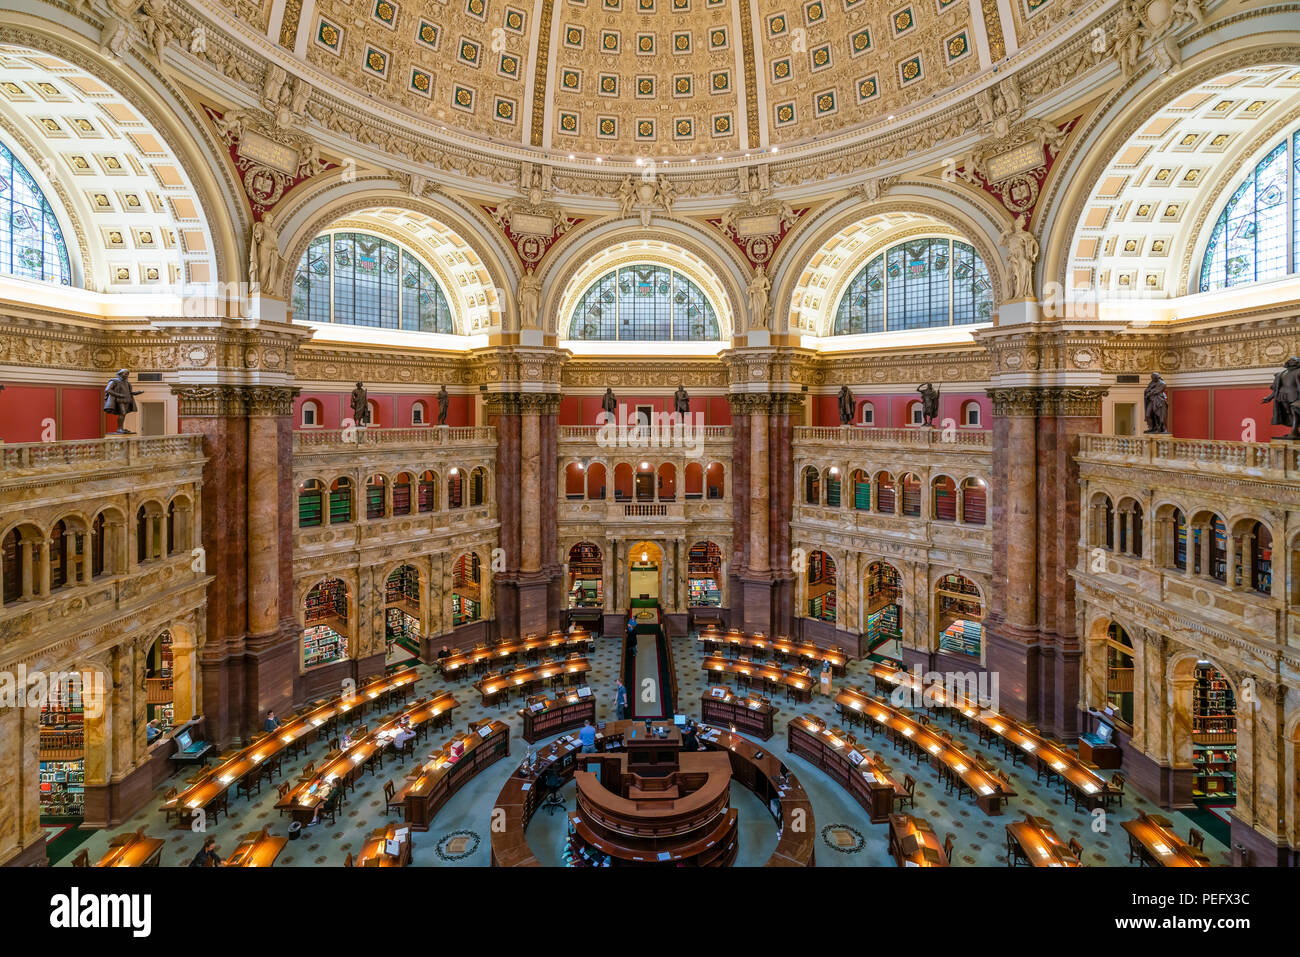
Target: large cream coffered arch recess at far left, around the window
[{"x": 149, "y": 142}]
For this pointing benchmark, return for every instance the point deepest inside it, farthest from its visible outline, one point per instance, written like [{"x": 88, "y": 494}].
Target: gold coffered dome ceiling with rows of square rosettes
[{"x": 662, "y": 79}]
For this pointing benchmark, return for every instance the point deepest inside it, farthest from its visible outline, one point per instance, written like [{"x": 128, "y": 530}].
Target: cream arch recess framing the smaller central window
[{"x": 590, "y": 254}]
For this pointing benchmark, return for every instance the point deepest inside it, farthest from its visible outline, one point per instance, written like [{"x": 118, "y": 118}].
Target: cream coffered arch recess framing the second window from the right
[{"x": 813, "y": 275}]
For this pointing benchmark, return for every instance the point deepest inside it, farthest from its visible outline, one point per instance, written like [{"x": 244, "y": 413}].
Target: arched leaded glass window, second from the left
[{"x": 365, "y": 280}]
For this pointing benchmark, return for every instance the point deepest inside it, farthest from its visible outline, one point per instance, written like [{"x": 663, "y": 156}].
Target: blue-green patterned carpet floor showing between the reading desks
[{"x": 846, "y": 837}]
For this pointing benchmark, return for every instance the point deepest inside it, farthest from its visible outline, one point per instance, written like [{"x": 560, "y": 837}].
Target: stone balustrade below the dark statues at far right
[{"x": 1263, "y": 460}]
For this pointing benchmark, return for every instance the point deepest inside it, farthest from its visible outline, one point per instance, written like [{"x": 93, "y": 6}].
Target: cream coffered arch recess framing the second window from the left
[{"x": 463, "y": 253}]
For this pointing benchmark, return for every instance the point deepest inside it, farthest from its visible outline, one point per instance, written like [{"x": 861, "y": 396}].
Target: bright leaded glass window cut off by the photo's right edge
[{"x": 1255, "y": 237}]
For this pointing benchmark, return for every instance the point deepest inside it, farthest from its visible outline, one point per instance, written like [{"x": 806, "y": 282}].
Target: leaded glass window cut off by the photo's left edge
[{"x": 32, "y": 244}]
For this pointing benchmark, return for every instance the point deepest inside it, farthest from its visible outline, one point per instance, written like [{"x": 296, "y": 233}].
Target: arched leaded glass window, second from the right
[{"x": 917, "y": 285}]
